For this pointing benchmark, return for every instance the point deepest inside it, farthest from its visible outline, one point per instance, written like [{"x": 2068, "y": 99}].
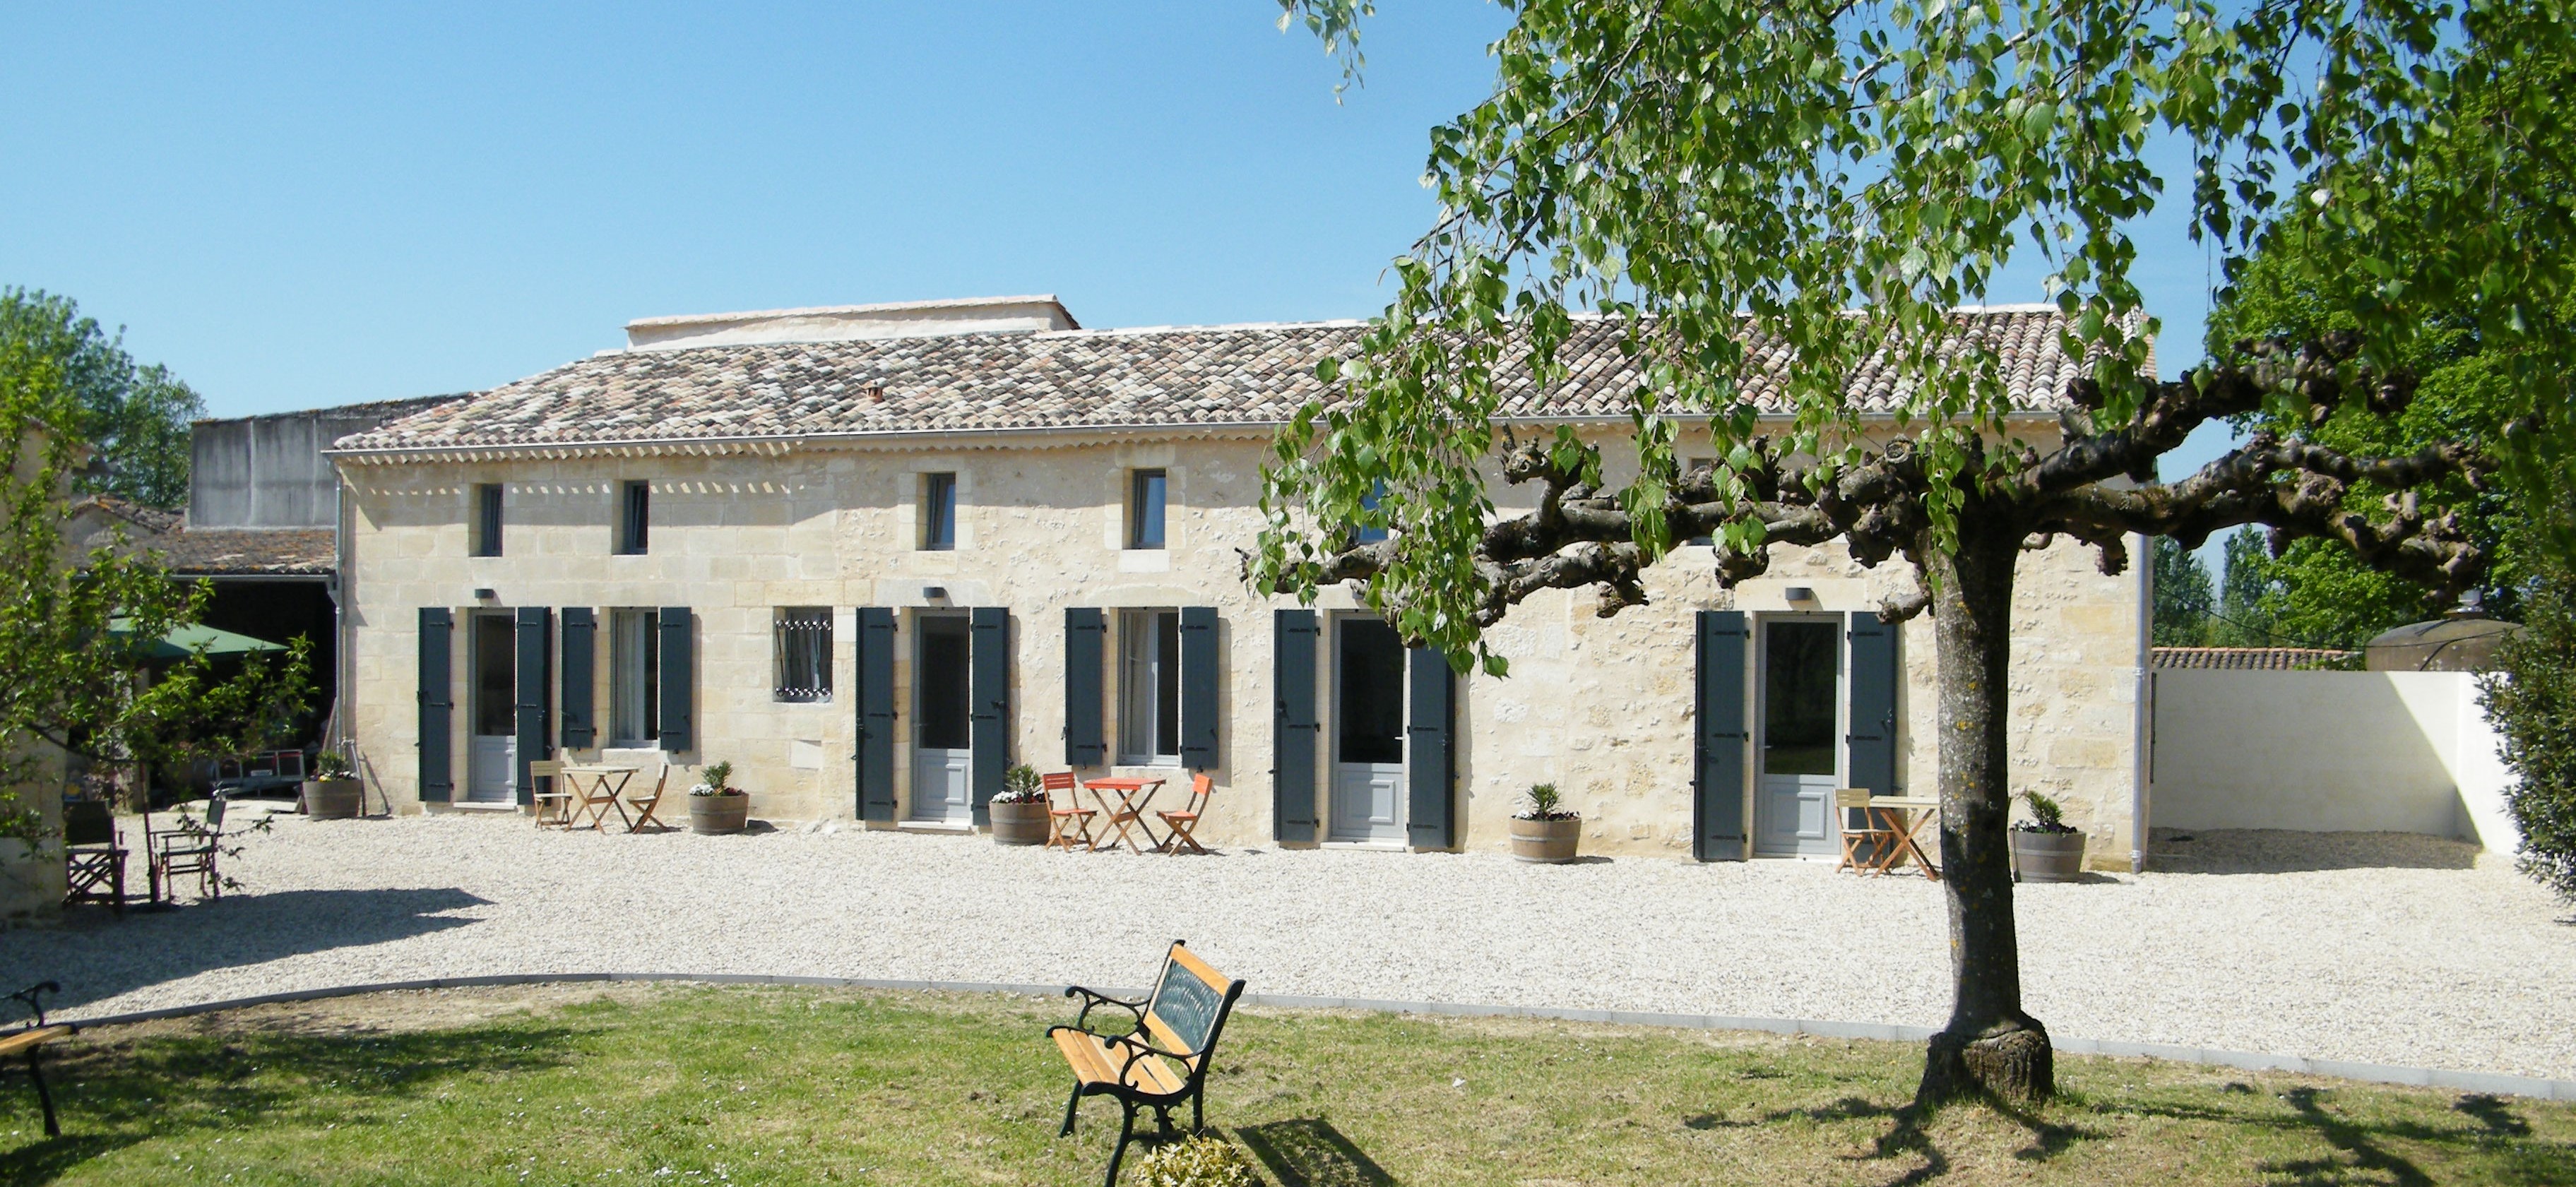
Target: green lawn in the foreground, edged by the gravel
[{"x": 782, "y": 1085}]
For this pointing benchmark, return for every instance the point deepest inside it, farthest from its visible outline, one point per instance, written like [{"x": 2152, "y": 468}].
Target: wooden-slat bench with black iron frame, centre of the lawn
[{"x": 1163, "y": 1054}]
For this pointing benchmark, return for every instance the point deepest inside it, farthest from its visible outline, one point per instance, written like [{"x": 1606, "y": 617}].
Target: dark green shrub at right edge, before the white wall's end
[{"x": 2533, "y": 704}]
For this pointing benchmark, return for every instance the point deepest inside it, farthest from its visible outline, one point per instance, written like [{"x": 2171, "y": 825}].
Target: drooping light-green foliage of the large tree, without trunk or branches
[{"x": 1833, "y": 179}]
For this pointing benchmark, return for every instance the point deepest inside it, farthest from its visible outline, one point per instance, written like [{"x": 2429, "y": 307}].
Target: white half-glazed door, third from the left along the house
[{"x": 1367, "y": 733}]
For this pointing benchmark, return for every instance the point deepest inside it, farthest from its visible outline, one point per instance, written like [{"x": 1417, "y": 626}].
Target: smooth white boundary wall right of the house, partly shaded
[{"x": 2330, "y": 753}]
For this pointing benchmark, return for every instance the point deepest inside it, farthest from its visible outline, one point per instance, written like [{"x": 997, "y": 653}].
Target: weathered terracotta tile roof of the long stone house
[{"x": 1189, "y": 377}]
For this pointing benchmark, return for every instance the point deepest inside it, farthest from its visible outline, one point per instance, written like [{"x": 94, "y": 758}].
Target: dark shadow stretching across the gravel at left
[{"x": 99, "y": 957}]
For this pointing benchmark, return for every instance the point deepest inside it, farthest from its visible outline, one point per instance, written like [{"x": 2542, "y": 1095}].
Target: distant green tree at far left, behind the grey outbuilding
[{"x": 133, "y": 416}]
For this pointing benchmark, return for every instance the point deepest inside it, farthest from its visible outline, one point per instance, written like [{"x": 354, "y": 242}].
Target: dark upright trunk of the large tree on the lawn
[{"x": 1990, "y": 1044}]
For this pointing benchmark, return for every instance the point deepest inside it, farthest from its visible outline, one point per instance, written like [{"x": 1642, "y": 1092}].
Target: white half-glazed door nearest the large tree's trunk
[{"x": 1799, "y": 751}]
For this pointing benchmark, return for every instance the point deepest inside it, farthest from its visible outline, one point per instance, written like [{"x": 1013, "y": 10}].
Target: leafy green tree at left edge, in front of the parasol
[{"x": 79, "y": 632}]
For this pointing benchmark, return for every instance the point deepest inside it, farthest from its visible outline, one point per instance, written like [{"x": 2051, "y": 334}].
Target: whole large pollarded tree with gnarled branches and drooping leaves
[{"x": 1828, "y": 184}]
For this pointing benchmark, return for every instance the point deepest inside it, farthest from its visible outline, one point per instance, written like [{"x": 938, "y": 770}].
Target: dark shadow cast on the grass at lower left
[{"x": 120, "y": 1096}]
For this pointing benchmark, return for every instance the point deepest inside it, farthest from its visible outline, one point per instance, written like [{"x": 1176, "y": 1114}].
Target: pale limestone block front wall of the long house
[{"x": 1604, "y": 709}]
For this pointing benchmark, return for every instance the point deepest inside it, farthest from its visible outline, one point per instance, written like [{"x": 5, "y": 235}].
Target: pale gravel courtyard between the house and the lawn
[{"x": 2330, "y": 946}]
